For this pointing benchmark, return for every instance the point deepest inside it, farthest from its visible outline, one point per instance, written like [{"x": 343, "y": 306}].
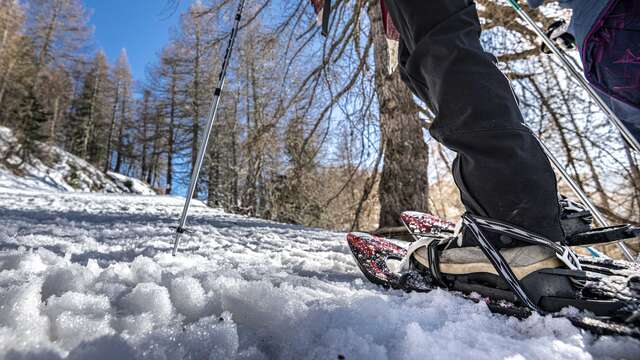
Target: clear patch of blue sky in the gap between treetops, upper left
[{"x": 140, "y": 26}]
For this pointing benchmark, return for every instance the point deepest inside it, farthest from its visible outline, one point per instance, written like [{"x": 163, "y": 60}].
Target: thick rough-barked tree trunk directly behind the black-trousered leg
[{"x": 404, "y": 183}]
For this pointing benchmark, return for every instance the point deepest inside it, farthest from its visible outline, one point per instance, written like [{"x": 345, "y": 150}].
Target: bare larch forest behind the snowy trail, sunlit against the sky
[{"x": 312, "y": 130}]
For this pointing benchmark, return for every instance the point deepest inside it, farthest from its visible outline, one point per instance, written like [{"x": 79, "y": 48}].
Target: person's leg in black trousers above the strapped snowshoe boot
[{"x": 501, "y": 170}]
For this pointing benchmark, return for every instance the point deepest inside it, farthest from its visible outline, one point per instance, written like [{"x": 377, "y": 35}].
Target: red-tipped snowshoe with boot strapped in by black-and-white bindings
[{"x": 543, "y": 277}]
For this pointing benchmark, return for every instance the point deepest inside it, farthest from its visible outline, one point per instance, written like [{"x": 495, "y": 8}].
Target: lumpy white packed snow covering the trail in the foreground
[{"x": 90, "y": 276}]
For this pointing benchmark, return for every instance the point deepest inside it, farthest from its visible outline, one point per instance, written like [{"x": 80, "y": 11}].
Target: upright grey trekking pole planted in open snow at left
[{"x": 213, "y": 111}]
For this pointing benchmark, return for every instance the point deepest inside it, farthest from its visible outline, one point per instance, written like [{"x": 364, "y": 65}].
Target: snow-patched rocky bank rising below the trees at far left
[{"x": 65, "y": 172}]
